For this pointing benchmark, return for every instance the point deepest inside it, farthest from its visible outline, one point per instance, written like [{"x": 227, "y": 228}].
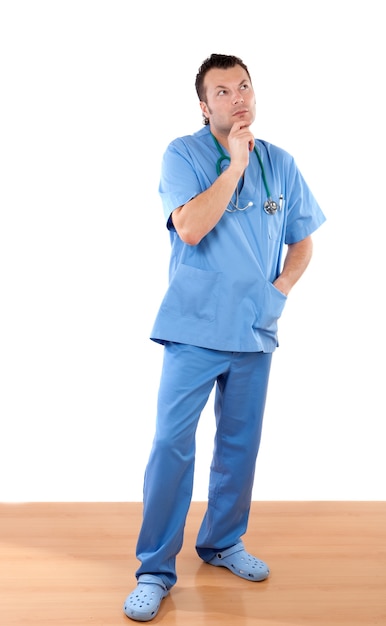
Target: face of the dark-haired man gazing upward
[{"x": 229, "y": 98}]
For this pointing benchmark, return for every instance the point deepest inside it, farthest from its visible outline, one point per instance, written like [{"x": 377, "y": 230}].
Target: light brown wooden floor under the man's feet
[{"x": 73, "y": 564}]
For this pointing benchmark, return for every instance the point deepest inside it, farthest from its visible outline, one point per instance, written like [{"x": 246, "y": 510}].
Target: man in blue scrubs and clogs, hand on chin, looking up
[{"x": 240, "y": 218}]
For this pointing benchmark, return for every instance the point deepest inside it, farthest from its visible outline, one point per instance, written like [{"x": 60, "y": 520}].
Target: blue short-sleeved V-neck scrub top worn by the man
[{"x": 220, "y": 294}]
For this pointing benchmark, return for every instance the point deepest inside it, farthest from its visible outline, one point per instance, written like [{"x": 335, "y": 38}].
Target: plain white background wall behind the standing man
[{"x": 91, "y": 93}]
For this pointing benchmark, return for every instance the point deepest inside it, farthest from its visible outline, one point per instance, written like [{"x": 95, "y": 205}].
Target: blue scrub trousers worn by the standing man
[{"x": 188, "y": 376}]
